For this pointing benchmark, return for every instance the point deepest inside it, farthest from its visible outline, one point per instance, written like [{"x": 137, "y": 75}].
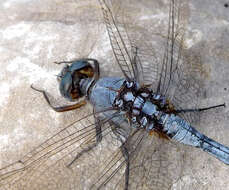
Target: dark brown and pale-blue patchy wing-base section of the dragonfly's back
[{"x": 139, "y": 104}]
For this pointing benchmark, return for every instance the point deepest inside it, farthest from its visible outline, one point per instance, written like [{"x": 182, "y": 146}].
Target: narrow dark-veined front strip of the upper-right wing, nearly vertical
[{"x": 173, "y": 44}]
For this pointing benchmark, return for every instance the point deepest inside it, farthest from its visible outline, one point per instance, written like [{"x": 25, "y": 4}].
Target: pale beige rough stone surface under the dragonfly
[{"x": 34, "y": 34}]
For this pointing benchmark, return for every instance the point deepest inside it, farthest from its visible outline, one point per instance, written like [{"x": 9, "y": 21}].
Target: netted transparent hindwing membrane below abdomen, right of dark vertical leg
[{"x": 155, "y": 164}]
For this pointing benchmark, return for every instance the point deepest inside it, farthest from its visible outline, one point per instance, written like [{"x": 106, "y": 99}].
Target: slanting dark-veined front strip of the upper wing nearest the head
[{"x": 123, "y": 50}]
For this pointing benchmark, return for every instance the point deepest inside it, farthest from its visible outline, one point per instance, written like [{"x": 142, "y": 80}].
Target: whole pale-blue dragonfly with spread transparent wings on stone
[{"x": 145, "y": 113}]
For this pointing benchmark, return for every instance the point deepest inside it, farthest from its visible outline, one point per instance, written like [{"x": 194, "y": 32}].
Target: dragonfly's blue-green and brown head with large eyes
[{"x": 70, "y": 77}]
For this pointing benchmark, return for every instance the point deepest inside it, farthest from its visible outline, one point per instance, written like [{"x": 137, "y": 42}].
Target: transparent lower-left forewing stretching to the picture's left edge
[{"x": 42, "y": 168}]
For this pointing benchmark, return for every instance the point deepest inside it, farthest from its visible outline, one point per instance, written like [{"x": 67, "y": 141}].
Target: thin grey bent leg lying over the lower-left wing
[{"x": 98, "y": 126}]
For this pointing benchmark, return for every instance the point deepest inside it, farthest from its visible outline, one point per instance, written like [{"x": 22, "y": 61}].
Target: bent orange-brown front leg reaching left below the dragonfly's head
[{"x": 60, "y": 108}]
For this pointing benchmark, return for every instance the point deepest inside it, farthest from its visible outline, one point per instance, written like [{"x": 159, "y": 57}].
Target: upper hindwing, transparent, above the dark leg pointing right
[{"x": 181, "y": 73}]
